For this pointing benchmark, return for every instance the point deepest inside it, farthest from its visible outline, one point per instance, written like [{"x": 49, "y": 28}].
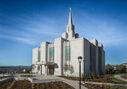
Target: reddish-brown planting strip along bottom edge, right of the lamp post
[{"x": 93, "y": 86}]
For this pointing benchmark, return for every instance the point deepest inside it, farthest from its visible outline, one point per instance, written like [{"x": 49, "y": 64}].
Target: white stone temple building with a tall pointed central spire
[{"x": 60, "y": 57}]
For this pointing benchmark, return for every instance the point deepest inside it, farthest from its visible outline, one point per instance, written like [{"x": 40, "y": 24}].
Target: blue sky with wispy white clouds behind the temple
[{"x": 24, "y": 24}]
